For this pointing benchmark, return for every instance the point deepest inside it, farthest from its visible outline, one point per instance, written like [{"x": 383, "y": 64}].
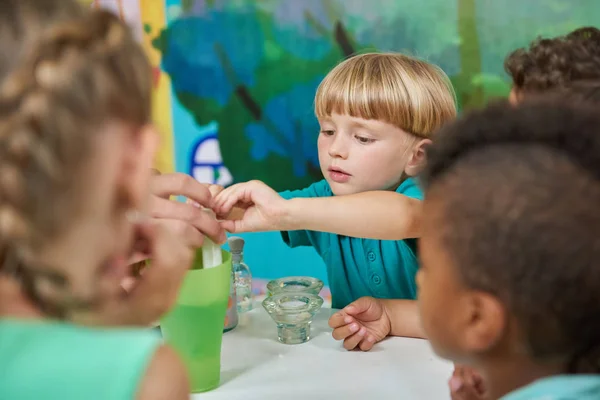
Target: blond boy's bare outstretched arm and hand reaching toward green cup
[{"x": 375, "y": 215}]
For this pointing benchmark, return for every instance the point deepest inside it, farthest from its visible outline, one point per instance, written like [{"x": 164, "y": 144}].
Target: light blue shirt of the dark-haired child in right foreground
[{"x": 560, "y": 387}]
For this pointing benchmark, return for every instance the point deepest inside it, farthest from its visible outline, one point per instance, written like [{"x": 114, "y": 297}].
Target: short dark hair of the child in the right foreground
[{"x": 519, "y": 191}]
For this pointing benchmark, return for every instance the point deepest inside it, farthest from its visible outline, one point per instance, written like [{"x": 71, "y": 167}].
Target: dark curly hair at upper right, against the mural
[{"x": 556, "y": 62}]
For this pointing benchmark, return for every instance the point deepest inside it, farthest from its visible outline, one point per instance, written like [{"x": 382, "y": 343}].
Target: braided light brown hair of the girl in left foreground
[{"x": 81, "y": 75}]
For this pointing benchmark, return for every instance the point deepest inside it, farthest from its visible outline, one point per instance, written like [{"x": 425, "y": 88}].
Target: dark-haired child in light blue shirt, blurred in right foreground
[{"x": 509, "y": 282}]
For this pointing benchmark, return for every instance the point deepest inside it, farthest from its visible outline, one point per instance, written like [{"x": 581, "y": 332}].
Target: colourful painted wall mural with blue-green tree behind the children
[{"x": 235, "y": 79}]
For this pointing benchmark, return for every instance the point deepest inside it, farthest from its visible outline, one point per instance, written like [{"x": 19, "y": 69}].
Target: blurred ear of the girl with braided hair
[{"x": 137, "y": 164}]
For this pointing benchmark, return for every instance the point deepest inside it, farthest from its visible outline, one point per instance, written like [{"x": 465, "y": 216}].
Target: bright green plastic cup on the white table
[{"x": 194, "y": 327}]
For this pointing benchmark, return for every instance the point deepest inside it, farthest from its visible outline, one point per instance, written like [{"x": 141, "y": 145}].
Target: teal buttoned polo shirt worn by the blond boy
[{"x": 357, "y": 267}]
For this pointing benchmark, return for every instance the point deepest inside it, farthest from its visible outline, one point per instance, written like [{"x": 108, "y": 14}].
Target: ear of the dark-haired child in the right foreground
[{"x": 486, "y": 322}]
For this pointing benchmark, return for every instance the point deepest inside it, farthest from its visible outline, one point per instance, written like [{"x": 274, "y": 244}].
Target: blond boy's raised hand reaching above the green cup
[{"x": 262, "y": 208}]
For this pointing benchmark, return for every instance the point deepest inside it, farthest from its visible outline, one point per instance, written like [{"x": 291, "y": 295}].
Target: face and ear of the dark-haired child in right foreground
[{"x": 461, "y": 323}]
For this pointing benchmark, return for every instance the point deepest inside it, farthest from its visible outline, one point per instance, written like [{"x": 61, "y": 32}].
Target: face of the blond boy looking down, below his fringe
[{"x": 358, "y": 155}]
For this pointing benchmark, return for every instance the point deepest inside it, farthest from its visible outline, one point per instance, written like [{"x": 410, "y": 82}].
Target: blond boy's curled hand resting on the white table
[{"x": 361, "y": 324}]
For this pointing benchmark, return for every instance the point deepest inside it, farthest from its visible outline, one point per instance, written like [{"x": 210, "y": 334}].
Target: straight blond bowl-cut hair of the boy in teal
[{"x": 404, "y": 91}]
